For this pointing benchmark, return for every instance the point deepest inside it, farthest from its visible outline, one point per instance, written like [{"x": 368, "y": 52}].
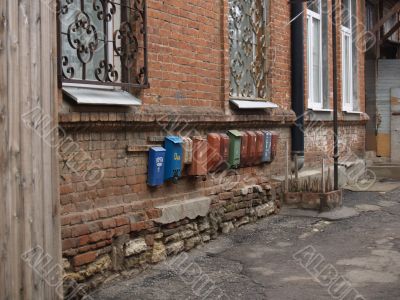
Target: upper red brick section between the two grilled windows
[{"x": 185, "y": 53}]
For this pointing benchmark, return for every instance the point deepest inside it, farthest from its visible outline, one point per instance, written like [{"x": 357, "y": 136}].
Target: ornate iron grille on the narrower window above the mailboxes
[{"x": 248, "y": 44}]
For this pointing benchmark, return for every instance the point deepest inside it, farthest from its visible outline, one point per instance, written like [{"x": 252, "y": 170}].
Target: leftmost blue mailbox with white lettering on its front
[{"x": 156, "y": 166}]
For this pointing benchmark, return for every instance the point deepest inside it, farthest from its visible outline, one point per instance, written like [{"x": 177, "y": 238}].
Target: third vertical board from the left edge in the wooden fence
[{"x": 25, "y": 83}]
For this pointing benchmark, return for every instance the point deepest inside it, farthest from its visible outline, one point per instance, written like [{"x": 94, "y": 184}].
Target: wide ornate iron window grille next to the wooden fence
[{"x": 103, "y": 42}]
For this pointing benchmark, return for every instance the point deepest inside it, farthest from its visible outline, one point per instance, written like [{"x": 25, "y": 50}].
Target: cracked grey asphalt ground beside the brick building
[{"x": 285, "y": 257}]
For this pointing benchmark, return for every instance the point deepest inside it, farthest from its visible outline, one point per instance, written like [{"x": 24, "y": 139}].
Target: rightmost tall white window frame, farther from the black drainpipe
[{"x": 348, "y": 104}]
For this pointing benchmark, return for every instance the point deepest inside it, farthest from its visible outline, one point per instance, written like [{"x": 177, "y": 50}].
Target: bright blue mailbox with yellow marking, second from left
[{"x": 173, "y": 158}]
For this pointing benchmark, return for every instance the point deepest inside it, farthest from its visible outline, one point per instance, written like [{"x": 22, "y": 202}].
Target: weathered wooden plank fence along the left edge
[{"x": 29, "y": 198}]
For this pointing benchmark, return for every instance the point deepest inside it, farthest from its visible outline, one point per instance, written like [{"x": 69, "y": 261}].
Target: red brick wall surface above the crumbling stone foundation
[{"x": 189, "y": 77}]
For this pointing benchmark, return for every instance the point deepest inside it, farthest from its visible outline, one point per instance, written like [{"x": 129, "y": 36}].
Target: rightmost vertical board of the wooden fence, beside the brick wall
[{"x": 49, "y": 93}]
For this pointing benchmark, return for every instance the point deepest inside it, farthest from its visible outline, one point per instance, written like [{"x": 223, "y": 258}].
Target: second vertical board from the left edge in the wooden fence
[{"x": 14, "y": 198}]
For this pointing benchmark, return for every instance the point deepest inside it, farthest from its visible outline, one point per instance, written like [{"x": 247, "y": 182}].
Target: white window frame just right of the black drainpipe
[{"x": 313, "y": 102}]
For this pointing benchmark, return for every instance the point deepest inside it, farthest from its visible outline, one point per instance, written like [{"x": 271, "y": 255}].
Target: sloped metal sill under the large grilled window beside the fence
[{"x": 89, "y": 96}]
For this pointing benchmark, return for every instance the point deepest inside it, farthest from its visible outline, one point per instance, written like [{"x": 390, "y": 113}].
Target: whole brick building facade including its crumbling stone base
[{"x": 109, "y": 213}]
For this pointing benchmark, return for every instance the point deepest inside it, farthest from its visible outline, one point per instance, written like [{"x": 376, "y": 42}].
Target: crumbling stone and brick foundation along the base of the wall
[{"x": 137, "y": 243}]
